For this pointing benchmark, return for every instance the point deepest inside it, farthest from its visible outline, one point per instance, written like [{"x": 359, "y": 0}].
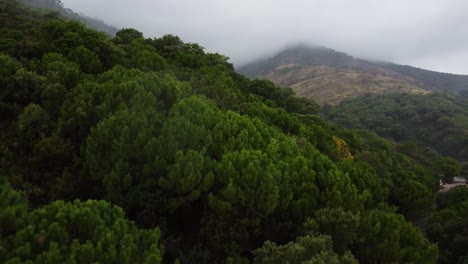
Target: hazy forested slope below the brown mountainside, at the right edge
[{"x": 437, "y": 122}]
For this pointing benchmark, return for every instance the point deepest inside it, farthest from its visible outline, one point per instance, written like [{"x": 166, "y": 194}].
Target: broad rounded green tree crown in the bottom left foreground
[{"x": 90, "y": 231}]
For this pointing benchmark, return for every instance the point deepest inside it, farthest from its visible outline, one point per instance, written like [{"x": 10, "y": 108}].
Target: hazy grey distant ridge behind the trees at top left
[{"x": 57, "y": 5}]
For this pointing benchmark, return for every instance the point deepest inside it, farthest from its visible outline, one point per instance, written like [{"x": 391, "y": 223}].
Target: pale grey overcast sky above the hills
[{"x": 431, "y": 34}]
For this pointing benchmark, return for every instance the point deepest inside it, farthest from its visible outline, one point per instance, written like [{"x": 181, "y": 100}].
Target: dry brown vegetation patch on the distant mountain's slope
[{"x": 334, "y": 85}]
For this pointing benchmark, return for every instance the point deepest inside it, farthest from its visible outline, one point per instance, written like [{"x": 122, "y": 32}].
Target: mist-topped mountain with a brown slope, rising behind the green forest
[{"x": 329, "y": 76}]
